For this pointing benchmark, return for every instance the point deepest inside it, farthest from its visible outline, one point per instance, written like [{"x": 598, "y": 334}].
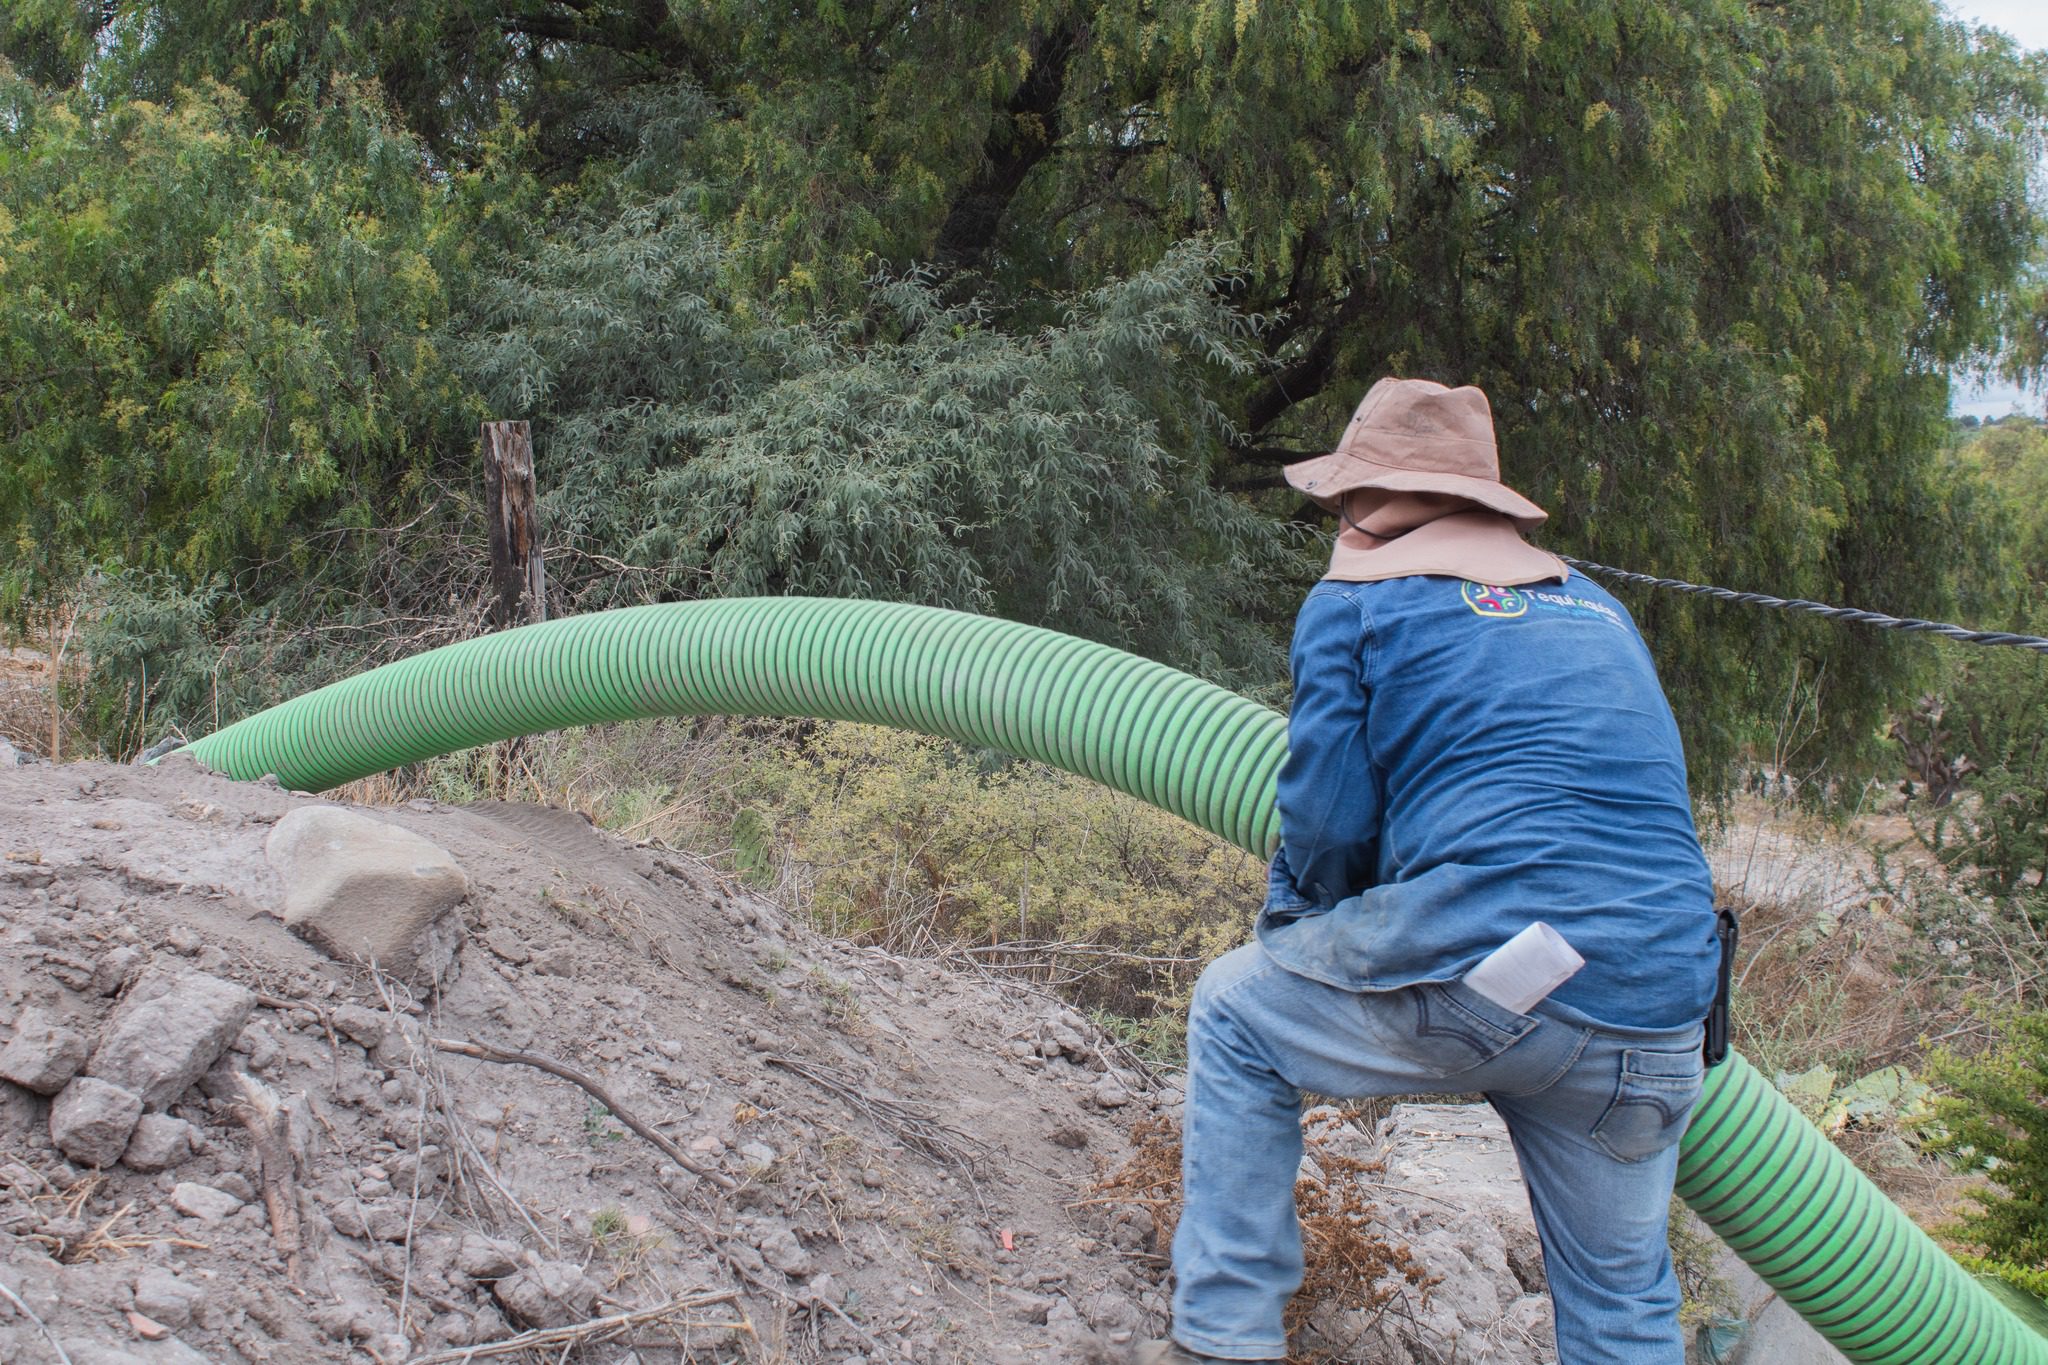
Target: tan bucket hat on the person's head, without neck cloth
[{"x": 1418, "y": 437}]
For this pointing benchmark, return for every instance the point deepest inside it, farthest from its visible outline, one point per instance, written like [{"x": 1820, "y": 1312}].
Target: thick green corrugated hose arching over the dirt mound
[{"x": 1756, "y": 1172}]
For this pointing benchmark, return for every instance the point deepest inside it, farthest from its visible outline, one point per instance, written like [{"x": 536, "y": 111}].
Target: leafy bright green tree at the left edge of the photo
[{"x": 210, "y": 349}]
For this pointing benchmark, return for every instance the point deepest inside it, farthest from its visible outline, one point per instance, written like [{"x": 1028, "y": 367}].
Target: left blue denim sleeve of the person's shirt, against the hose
[{"x": 1330, "y": 813}]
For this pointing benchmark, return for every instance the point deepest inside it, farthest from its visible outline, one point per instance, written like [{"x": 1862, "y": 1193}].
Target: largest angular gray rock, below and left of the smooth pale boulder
[{"x": 169, "y": 1030}]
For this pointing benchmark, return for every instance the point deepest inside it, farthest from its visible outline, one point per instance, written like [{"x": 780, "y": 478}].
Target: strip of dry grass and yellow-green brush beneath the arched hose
[{"x": 919, "y": 844}]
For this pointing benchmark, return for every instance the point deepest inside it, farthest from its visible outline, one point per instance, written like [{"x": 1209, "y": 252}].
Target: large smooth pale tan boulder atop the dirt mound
[{"x": 368, "y": 891}]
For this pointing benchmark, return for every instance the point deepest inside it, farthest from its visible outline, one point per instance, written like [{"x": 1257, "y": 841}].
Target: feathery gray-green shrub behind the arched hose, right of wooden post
[{"x": 914, "y": 451}]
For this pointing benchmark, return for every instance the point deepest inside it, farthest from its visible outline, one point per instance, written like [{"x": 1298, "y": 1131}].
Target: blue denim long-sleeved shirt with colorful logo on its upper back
[{"x": 1467, "y": 760}]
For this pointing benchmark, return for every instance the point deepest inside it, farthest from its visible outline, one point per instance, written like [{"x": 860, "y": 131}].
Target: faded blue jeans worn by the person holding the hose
[{"x": 1594, "y": 1114}]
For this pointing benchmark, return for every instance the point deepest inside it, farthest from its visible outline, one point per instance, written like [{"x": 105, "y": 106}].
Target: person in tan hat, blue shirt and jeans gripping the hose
[{"x": 1488, "y": 883}]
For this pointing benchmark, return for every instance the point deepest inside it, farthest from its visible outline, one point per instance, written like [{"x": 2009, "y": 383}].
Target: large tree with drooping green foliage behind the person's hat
[{"x": 1713, "y": 261}]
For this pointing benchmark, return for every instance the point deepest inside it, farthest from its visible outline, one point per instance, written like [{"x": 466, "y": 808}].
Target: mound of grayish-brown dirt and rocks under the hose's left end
[{"x": 290, "y": 1082}]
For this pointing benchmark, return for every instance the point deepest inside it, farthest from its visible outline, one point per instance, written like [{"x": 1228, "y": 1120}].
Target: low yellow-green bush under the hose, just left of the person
[{"x": 921, "y": 844}]
